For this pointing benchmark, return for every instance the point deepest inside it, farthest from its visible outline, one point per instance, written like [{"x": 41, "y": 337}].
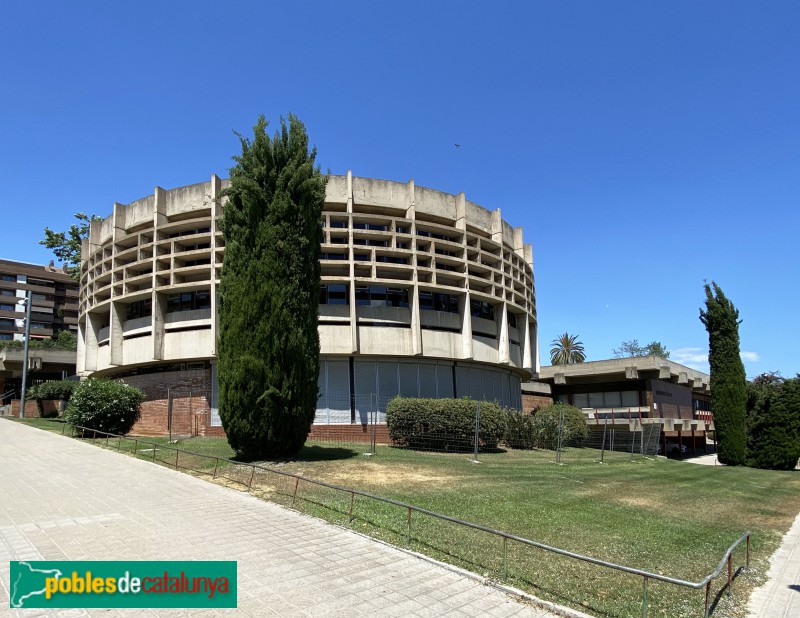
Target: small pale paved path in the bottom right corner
[{"x": 780, "y": 596}]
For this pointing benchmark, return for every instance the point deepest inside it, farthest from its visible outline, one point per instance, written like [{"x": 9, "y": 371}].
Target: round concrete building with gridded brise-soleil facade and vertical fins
[{"x": 424, "y": 294}]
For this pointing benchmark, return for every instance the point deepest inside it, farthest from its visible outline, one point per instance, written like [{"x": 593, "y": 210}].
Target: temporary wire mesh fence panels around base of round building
[{"x": 358, "y": 422}]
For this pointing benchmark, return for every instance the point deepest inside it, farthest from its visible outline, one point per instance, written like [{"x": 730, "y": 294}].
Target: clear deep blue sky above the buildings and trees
[{"x": 644, "y": 147}]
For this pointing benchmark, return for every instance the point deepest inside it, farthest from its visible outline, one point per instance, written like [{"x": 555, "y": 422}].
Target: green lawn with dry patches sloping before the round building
[{"x": 664, "y": 516}]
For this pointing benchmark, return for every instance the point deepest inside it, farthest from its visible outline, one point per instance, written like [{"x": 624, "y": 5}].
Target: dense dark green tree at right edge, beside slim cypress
[{"x": 773, "y": 422}]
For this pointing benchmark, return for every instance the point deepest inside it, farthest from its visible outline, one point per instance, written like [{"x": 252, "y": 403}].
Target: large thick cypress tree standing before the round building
[{"x": 268, "y": 349}]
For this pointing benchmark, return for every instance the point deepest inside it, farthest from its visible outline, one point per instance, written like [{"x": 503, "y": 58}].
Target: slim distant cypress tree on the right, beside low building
[{"x": 728, "y": 383}]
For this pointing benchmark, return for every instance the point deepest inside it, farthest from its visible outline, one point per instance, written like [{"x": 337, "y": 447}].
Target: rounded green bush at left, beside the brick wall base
[{"x": 105, "y": 405}]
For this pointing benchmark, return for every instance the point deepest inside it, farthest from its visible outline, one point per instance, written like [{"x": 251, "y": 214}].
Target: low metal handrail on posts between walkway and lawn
[{"x": 727, "y": 559}]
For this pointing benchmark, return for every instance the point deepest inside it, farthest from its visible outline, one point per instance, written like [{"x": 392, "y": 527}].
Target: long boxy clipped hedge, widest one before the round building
[{"x": 443, "y": 424}]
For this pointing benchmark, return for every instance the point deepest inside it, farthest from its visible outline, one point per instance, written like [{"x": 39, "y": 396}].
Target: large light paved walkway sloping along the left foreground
[{"x": 61, "y": 499}]
